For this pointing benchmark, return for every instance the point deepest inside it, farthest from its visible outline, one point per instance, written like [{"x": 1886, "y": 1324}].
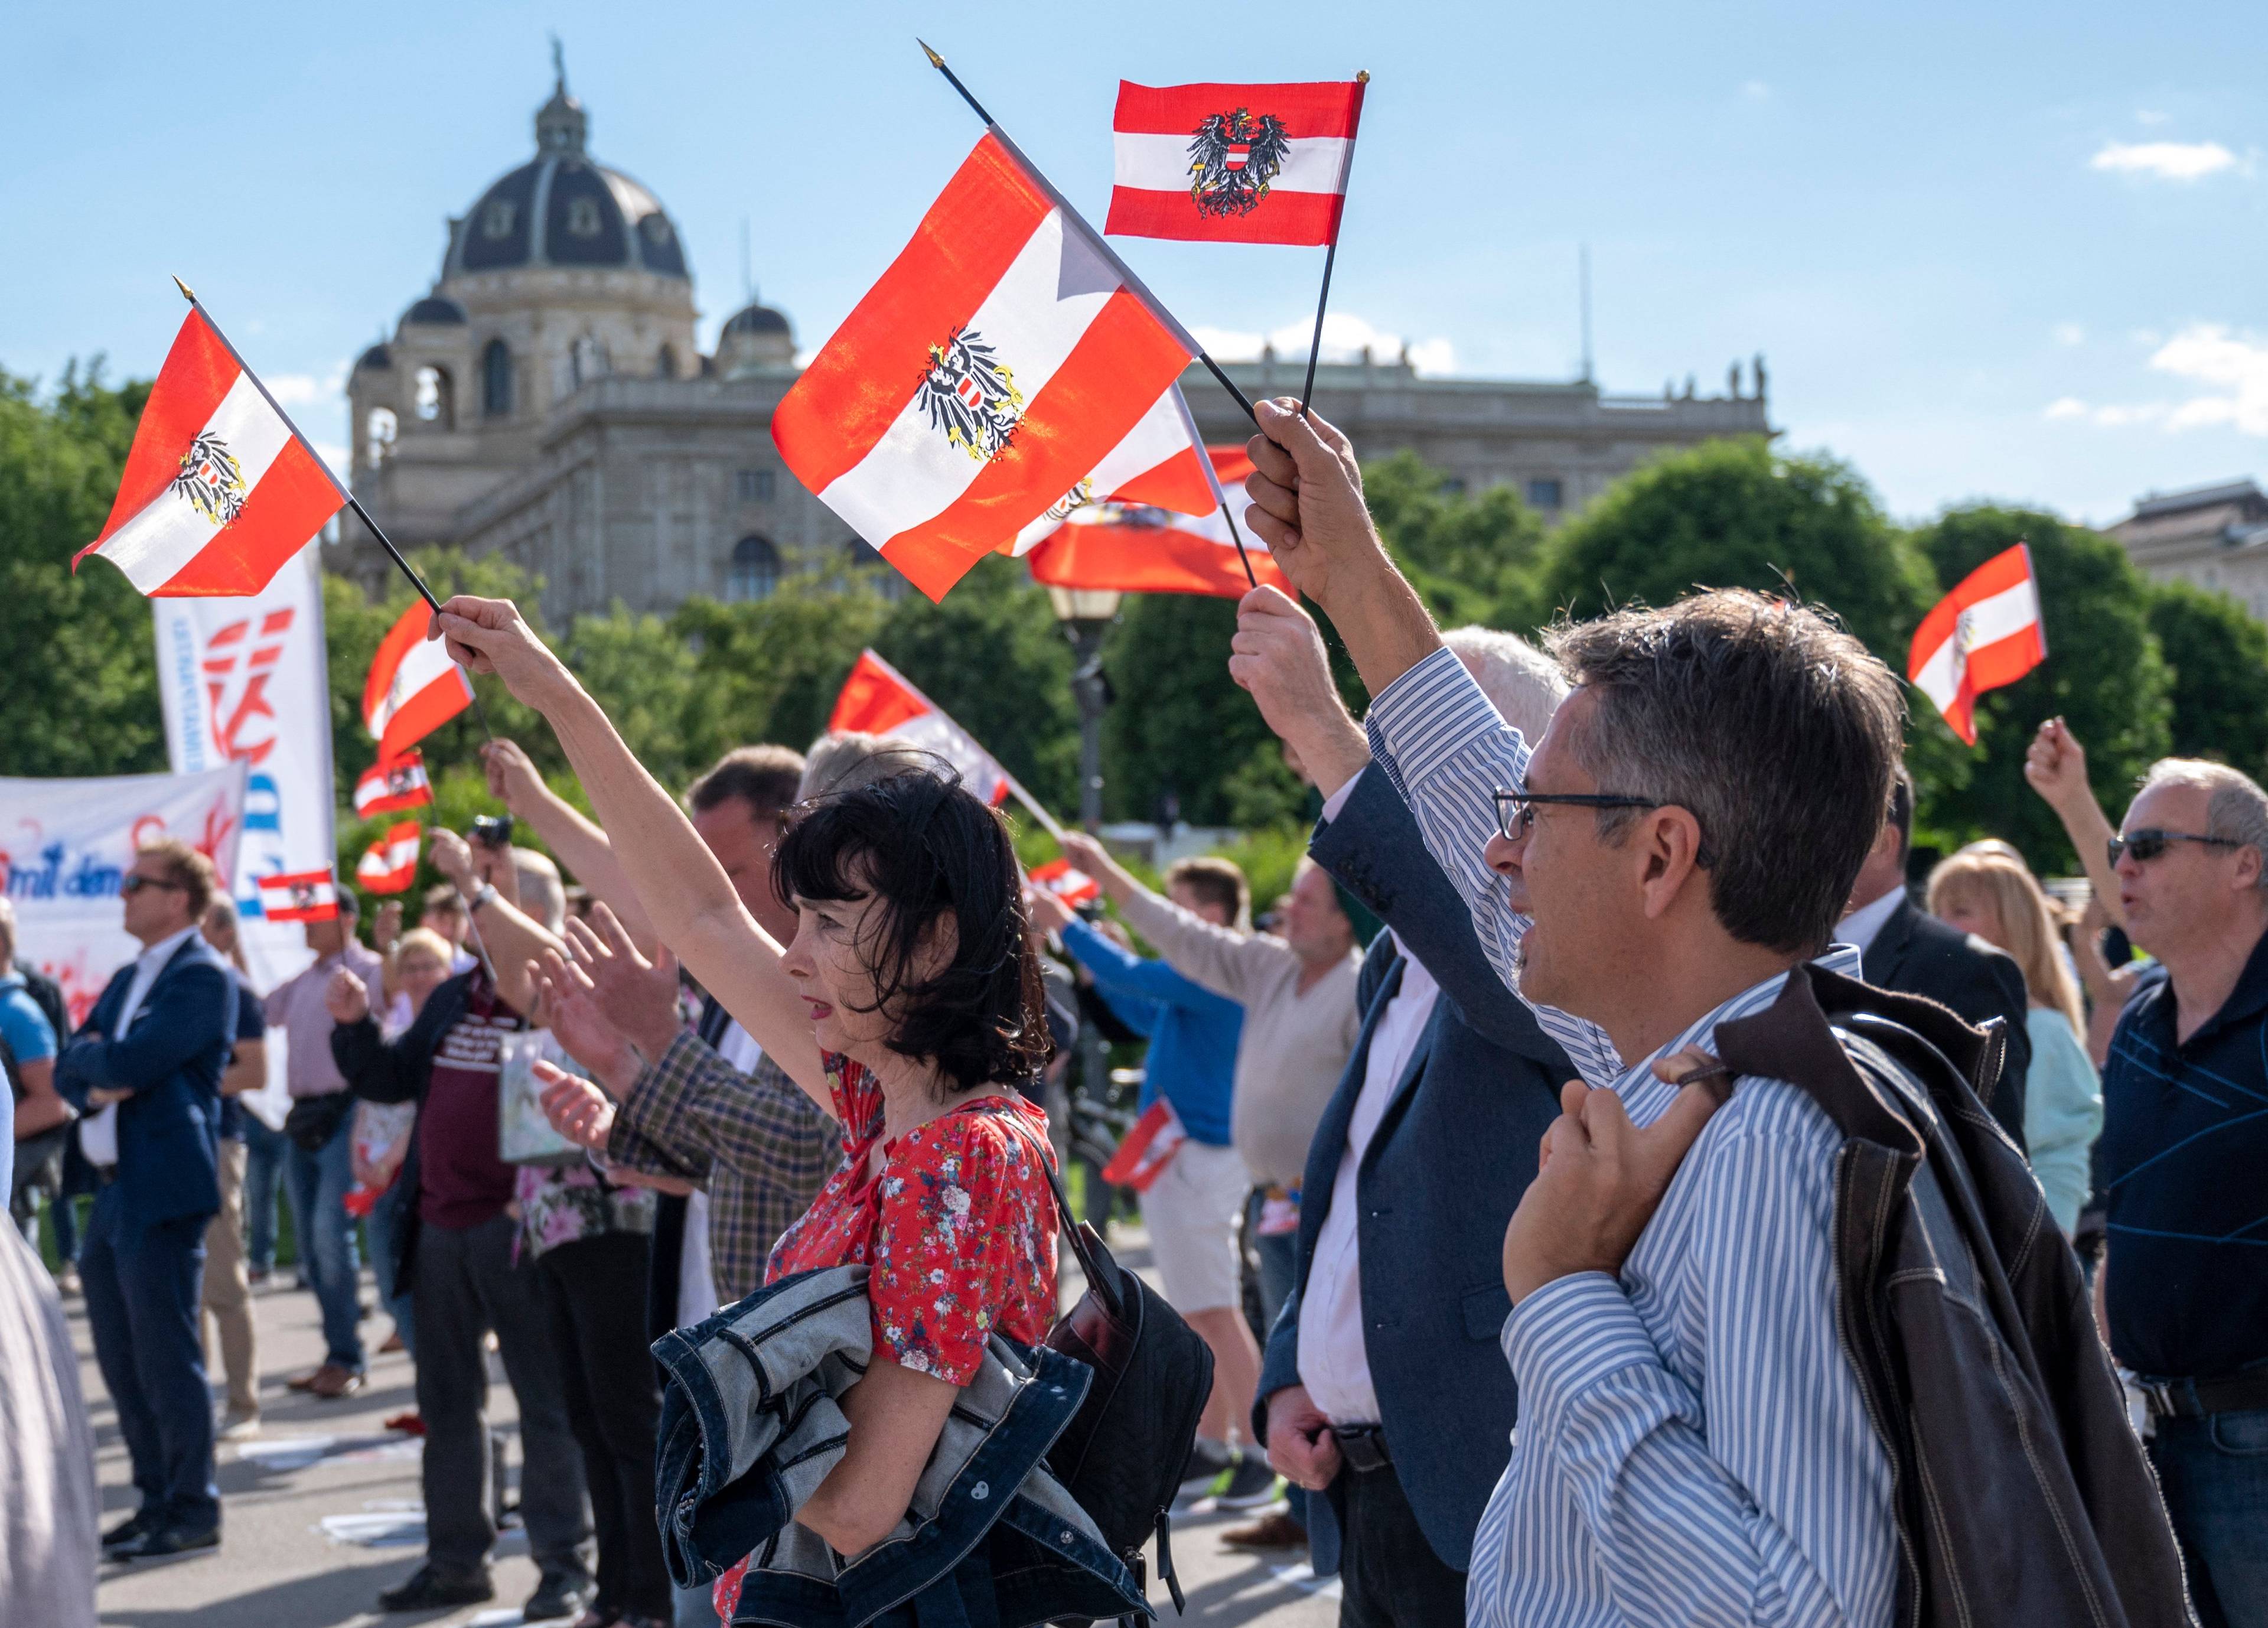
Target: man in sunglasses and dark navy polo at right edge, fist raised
[{"x": 2183, "y": 1160}]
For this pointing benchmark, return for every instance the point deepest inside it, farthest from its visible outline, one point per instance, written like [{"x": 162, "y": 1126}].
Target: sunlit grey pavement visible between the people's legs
[{"x": 323, "y": 1511}]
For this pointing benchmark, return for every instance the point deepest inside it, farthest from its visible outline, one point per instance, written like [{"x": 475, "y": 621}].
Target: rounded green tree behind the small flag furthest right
[{"x": 2104, "y": 675}]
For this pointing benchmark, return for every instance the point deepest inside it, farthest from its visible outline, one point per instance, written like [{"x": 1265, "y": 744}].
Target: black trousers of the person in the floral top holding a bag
[{"x": 598, "y": 1291}]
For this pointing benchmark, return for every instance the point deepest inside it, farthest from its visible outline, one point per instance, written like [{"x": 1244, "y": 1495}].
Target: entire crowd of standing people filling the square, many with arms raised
[{"x": 1616, "y": 1187}]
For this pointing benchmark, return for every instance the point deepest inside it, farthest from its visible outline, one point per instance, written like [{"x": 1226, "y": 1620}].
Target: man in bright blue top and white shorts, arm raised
[{"x": 1194, "y": 1205}]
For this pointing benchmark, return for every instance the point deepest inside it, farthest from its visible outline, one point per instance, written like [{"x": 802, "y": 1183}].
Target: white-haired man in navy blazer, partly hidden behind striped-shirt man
[{"x": 1382, "y": 1384}]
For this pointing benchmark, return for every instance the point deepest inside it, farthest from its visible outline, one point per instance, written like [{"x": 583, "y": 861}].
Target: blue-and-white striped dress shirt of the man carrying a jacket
[{"x": 1693, "y": 1445}]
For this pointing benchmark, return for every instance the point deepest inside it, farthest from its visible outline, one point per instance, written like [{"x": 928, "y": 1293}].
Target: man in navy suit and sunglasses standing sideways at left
[{"x": 146, "y": 1074}]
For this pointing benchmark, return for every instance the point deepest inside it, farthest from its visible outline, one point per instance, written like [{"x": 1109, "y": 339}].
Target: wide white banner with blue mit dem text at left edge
[{"x": 65, "y": 847}]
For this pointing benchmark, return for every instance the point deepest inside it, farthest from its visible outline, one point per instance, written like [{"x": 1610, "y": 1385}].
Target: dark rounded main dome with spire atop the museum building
[{"x": 561, "y": 210}]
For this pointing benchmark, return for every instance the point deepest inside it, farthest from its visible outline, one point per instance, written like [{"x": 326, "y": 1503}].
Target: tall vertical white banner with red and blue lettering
[{"x": 248, "y": 681}]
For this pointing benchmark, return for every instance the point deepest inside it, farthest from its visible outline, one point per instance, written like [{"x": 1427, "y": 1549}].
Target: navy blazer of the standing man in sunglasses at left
[{"x": 171, "y": 1060}]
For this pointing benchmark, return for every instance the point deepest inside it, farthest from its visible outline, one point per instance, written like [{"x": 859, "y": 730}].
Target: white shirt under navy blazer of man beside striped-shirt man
[{"x": 1335, "y": 1364}]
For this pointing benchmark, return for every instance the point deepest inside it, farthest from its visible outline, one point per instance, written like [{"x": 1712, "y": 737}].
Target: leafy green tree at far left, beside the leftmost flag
[{"x": 78, "y": 695}]
